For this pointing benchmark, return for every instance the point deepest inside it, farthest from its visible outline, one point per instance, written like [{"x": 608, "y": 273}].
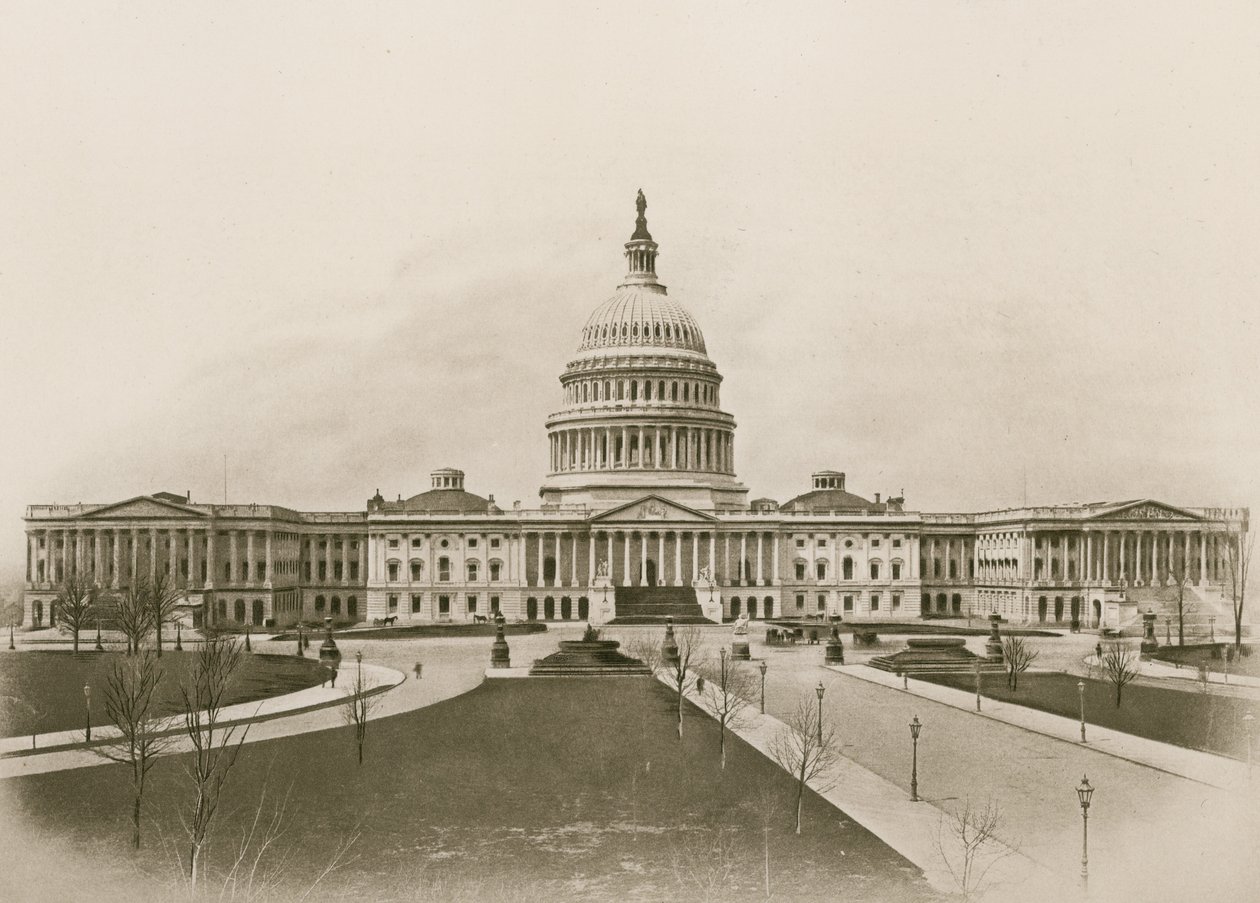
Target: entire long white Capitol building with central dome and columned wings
[{"x": 642, "y": 514}]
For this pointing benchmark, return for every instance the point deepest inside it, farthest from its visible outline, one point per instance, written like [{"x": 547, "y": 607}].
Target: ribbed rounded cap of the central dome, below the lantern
[{"x": 641, "y": 317}]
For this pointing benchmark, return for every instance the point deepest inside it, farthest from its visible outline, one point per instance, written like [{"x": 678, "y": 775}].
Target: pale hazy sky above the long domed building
[{"x": 934, "y": 245}]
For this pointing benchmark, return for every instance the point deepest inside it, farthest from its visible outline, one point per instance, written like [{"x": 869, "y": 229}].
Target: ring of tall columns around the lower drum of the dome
[{"x": 643, "y": 448}]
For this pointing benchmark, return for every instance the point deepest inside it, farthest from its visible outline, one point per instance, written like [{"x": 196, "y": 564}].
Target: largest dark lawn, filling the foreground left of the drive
[{"x": 521, "y": 790}]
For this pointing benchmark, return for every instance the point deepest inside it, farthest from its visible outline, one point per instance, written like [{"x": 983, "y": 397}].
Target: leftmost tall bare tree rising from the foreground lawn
[{"x": 132, "y": 708}]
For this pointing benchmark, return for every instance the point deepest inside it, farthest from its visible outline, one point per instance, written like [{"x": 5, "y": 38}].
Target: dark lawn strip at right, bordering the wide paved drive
[{"x": 1188, "y": 718}]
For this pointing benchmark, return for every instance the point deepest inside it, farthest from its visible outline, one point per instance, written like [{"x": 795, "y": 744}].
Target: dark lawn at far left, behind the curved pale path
[{"x": 52, "y": 682}]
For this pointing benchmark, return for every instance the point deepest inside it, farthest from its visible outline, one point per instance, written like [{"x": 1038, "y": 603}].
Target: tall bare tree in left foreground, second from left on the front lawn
[{"x": 215, "y": 747}]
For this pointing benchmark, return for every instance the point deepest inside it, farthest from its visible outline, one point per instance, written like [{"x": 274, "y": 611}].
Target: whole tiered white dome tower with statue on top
[{"x": 642, "y": 404}]
